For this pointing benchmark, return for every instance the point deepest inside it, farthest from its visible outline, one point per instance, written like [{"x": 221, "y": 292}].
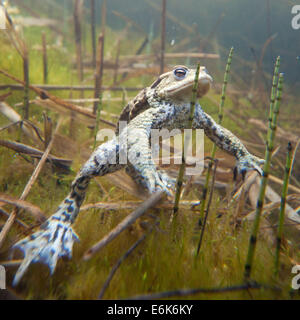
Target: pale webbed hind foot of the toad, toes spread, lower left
[{"x": 54, "y": 239}]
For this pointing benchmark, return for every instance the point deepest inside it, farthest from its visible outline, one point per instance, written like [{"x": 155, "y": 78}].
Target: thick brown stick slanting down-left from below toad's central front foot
[{"x": 130, "y": 219}]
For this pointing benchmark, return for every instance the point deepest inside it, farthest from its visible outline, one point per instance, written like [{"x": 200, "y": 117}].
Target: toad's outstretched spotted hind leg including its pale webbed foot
[{"x": 55, "y": 238}]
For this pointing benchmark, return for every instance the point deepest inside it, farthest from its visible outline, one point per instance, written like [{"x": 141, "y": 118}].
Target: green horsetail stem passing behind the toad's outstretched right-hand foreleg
[{"x": 214, "y": 148}]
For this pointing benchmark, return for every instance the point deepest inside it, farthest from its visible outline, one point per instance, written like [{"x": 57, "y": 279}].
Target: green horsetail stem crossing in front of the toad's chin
[{"x": 186, "y": 141}]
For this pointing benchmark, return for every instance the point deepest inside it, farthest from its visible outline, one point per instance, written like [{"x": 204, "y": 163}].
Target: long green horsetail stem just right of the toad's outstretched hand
[{"x": 263, "y": 184}]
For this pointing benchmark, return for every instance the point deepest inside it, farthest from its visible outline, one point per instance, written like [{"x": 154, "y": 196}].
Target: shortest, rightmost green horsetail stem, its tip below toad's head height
[{"x": 282, "y": 205}]
